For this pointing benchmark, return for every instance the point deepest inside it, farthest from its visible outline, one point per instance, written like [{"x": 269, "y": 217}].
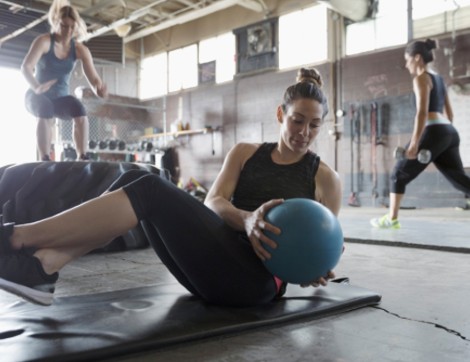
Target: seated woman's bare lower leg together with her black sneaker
[{"x": 59, "y": 240}]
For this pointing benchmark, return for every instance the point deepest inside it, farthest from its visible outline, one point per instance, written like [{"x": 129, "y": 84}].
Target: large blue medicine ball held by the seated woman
[{"x": 310, "y": 243}]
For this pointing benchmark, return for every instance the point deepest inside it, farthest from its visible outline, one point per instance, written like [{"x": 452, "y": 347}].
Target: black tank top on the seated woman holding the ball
[{"x": 262, "y": 180}]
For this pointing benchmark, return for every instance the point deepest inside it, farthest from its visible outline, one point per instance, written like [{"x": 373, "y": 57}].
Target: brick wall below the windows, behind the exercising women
[{"x": 245, "y": 110}]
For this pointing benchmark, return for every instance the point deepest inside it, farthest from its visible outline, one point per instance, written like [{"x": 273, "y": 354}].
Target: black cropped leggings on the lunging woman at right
[{"x": 443, "y": 141}]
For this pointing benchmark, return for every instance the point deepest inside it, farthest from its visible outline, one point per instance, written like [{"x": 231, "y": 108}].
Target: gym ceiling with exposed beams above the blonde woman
[{"x": 22, "y": 21}]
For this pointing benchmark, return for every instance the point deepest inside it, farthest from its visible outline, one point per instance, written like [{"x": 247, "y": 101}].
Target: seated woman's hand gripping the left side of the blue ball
[{"x": 255, "y": 226}]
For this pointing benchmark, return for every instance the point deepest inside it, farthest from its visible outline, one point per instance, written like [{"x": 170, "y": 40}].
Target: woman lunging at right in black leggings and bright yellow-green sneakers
[{"x": 432, "y": 130}]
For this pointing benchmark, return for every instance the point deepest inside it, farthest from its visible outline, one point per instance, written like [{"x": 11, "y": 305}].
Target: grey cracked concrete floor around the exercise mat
[{"x": 422, "y": 272}]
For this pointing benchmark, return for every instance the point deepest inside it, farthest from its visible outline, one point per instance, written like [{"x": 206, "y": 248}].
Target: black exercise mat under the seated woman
[{"x": 98, "y": 326}]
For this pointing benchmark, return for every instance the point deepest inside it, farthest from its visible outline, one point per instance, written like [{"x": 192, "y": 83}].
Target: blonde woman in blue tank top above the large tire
[{"x": 47, "y": 67}]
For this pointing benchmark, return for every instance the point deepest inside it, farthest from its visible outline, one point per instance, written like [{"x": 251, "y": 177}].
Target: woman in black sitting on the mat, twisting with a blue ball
[{"x": 214, "y": 249}]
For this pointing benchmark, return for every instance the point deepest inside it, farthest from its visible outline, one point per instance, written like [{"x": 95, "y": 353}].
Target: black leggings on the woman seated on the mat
[{"x": 210, "y": 259}]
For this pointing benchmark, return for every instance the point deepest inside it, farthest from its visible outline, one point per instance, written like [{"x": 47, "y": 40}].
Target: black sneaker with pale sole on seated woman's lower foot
[{"x": 22, "y": 274}]
